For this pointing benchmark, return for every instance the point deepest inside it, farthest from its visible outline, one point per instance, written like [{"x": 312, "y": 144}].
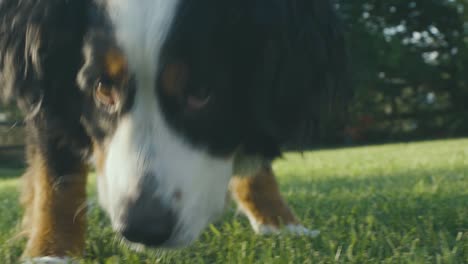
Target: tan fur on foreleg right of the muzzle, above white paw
[{"x": 259, "y": 197}]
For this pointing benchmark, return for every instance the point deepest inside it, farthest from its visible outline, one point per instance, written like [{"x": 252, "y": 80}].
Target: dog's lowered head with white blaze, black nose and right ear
[{"x": 174, "y": 91}]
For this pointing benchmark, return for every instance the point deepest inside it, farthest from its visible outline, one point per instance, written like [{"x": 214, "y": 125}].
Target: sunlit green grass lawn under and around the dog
[{"x": 403, "y": 203}]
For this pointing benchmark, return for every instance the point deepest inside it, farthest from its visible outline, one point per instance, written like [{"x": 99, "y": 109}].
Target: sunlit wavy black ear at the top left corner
[{"x": 40, "y": 47}]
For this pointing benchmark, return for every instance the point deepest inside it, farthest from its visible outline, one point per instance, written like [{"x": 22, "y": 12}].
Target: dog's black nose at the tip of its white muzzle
[{"x": 147, "y": 221}]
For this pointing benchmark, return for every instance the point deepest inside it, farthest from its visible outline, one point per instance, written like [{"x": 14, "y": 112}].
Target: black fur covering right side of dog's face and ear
[{"x": 275, "y": 66}]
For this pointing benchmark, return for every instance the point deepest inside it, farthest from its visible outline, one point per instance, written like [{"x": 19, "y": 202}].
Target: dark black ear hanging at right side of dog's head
[{"x": 300, "y": 77}]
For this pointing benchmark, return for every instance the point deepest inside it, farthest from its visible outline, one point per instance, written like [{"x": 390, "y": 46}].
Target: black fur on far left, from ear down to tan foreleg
[{"x": 40, "y": 54}]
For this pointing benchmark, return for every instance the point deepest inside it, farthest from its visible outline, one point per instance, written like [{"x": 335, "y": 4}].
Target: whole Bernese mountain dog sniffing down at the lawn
[{"x": 175, "y": 102}]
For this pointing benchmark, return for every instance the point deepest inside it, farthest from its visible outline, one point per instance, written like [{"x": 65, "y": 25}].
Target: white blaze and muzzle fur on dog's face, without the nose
[{"x": 144, "y": 143}]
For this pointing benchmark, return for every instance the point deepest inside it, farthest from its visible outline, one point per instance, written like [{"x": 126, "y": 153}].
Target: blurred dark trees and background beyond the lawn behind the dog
[{"x": 409, "y": 69}]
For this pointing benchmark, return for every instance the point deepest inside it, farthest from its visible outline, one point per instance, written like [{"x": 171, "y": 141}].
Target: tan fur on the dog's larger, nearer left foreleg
[{"x": 55, "y": 216}]
